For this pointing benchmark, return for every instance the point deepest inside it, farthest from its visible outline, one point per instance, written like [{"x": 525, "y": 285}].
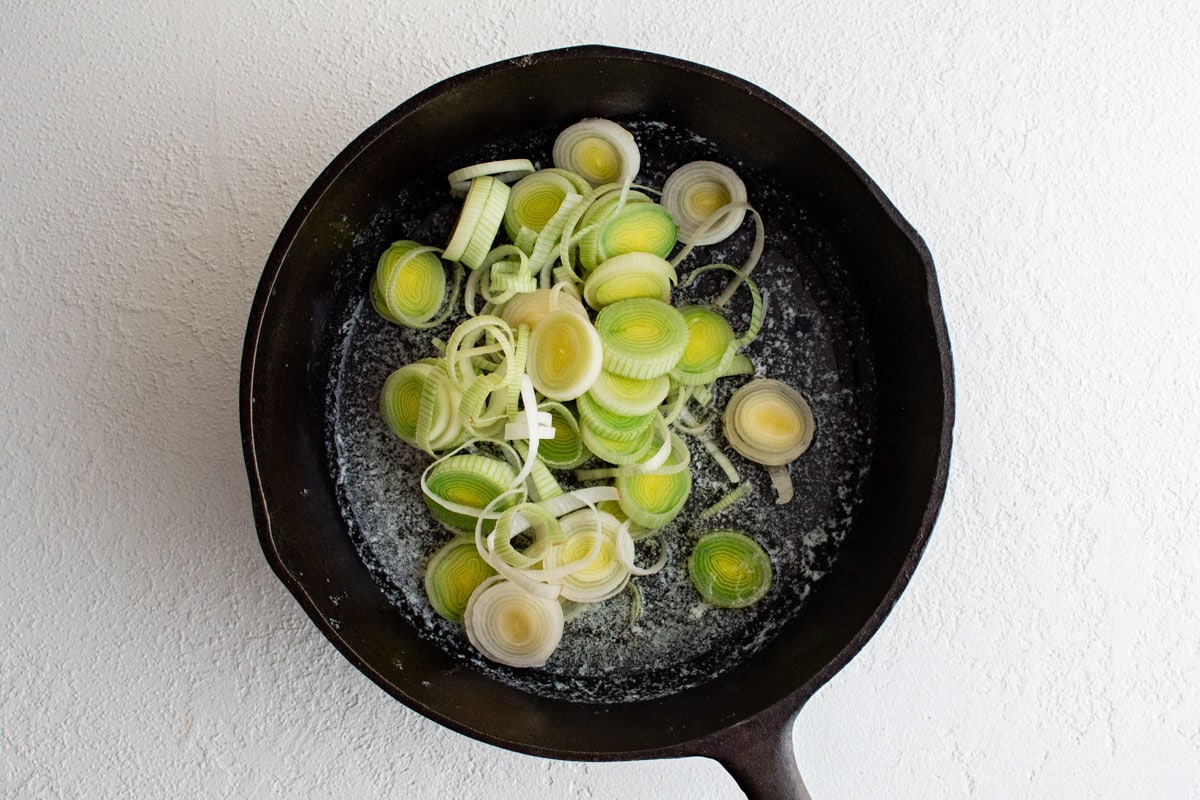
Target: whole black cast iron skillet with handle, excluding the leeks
[{"x": 857, "y": 327}]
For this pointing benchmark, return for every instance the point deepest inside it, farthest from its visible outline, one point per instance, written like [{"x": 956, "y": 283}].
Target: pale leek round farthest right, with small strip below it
[{"x": 771, "y": 424}]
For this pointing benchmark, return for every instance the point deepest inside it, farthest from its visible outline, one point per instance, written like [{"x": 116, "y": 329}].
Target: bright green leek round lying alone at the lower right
[{"x": 730, "y": 570}]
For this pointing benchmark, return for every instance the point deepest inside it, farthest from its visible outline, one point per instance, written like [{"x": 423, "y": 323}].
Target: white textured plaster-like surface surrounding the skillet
[{"x": 1049, "y": 646}]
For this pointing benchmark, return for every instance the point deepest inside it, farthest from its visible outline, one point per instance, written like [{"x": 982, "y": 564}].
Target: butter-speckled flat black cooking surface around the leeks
[{"x": 813, "y": 339}]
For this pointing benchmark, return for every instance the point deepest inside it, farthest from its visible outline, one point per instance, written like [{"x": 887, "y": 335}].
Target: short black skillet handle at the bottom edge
[{"x": 759, "y": 756}]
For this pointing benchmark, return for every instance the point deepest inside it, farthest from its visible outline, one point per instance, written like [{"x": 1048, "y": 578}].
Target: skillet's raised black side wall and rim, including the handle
[{"x": 878, "y": 284}]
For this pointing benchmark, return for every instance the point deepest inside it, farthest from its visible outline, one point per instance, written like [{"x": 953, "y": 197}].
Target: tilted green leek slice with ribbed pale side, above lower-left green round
[{"x": 459, "y": 489}]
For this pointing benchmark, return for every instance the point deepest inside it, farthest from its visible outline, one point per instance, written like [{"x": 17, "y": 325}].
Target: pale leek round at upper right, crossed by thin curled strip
[{"x": 695, "y": 193}]
